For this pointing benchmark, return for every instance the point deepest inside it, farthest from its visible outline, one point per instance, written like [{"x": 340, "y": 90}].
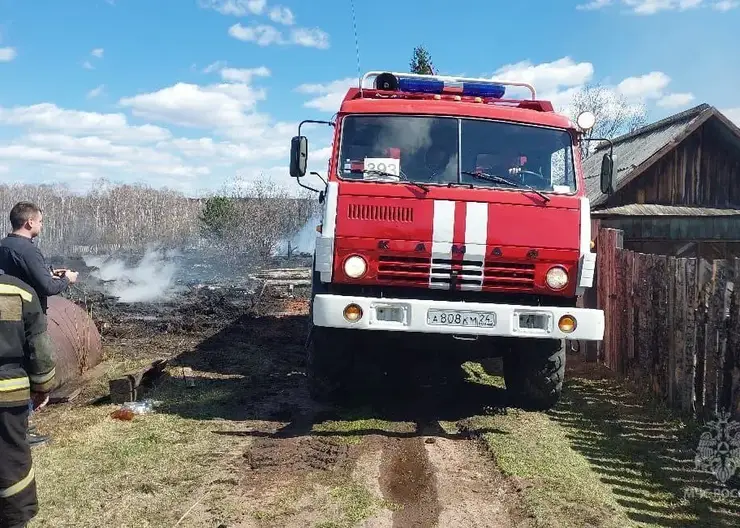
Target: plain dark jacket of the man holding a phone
[{"x": 21, "y": 258}]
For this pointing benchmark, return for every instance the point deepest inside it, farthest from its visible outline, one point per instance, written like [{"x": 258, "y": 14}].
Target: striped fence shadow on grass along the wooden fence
[{"x": 643, "y": 451}]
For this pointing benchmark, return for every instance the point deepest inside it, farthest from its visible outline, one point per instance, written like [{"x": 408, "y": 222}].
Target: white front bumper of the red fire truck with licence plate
[{"x": 456, "y": 318}]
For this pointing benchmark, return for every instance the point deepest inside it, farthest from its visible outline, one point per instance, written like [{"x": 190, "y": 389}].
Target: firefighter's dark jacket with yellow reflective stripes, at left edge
[{"x": 26, "y": 356}]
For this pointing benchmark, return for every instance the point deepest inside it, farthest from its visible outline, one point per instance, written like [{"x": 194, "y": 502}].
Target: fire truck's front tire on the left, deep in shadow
[{"x": 329, "y": 365}]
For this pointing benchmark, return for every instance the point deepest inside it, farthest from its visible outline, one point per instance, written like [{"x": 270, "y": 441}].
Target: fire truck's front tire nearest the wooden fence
[{"x": 534, "y": 372}]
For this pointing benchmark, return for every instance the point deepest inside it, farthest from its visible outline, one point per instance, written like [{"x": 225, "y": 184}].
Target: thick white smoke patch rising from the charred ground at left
[{"x": 151, "y": 279}]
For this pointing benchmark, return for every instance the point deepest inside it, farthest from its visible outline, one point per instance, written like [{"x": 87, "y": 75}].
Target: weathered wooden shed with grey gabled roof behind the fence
[{"x": 677, "y": 186}]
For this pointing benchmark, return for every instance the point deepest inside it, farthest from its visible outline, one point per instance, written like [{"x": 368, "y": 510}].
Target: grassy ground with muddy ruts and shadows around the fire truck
[{"x": 428, "y": 443}]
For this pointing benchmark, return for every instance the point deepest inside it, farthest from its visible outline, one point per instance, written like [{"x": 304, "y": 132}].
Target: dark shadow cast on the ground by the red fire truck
[{"x": 254, "y": 370}]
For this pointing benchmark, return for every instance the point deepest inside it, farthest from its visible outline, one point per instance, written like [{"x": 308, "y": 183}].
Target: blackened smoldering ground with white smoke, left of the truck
[{"x": 187, "y": 294}]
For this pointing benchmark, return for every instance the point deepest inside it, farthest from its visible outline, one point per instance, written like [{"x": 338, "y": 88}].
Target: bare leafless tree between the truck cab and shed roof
[{"x": 615, "y": 115}]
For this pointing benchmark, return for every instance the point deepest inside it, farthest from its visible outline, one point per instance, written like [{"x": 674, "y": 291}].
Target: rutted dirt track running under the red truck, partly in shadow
[{"x": 408, "y": 473}]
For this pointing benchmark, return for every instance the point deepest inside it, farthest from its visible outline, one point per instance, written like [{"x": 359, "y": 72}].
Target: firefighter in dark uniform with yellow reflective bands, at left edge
[{"x": 26, "y": 372}]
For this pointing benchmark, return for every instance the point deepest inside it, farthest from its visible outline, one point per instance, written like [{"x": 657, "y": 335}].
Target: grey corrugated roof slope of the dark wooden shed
[{"x": 633, "y": 149}]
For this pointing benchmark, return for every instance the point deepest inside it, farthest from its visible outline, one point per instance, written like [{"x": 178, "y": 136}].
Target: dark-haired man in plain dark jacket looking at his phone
[{"x": 21, "y": 258}]
